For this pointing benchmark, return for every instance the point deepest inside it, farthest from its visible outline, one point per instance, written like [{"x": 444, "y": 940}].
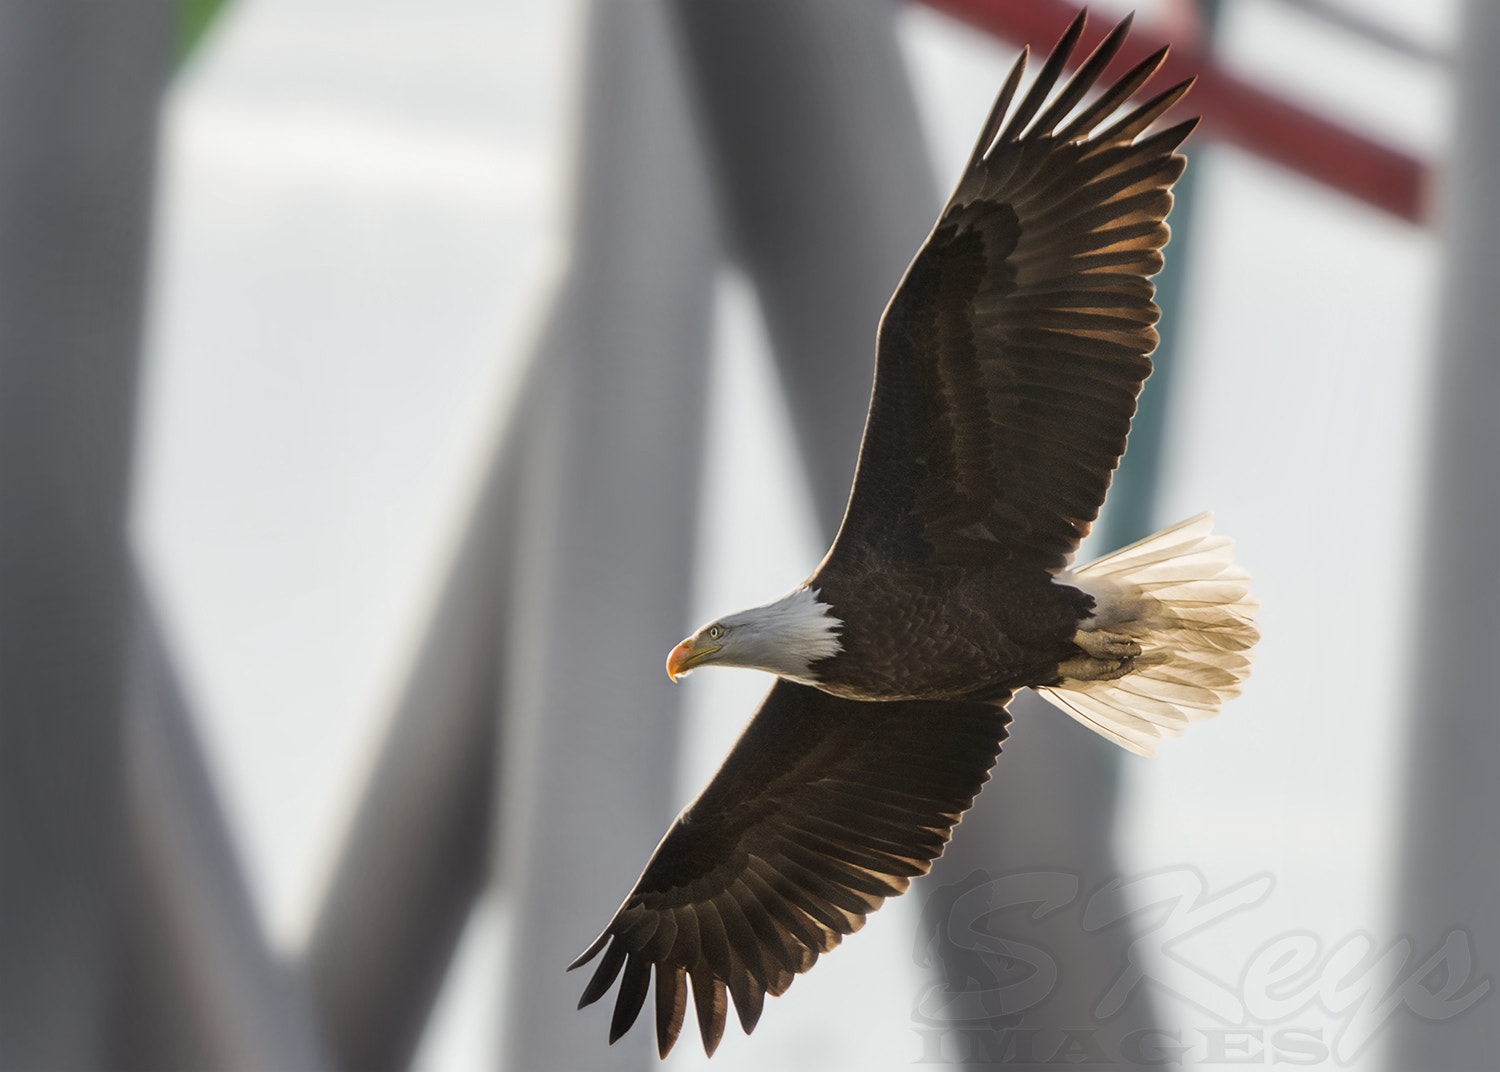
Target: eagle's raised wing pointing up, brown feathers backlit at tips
[{"x": 1013, "y": 352}]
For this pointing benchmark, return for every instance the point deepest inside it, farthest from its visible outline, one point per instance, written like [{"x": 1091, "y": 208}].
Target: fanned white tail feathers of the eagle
[{"x": 1181, "y": 597}]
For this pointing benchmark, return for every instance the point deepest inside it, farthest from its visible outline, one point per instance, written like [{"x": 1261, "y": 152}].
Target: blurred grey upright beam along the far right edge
[{"x": 1450, "y": 878}]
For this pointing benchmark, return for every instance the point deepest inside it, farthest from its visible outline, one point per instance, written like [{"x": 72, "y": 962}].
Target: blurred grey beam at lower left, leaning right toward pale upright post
[{"x": 421, "y": 846}]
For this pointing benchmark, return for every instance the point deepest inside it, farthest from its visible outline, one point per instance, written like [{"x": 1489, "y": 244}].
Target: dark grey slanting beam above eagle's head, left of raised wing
[{"x": 827, "y": 191}]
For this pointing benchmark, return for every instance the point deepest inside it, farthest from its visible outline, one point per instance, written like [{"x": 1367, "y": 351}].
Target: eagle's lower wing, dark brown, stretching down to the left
[{"x": 821, "y": 810}]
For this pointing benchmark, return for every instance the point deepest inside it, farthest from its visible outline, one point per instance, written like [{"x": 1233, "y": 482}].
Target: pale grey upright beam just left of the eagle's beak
[{"x": 610, "y": 526}]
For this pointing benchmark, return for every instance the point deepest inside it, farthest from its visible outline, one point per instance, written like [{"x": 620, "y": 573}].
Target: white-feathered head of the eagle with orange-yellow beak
[{"x": 782, "y": 638}]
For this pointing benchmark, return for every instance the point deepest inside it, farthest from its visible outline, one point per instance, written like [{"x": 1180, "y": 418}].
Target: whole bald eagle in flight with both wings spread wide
[{"x": 1007, "y": 371}]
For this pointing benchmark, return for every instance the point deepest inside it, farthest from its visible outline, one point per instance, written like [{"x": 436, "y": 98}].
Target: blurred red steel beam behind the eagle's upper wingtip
[{"x": 1232, "y": 109}]
